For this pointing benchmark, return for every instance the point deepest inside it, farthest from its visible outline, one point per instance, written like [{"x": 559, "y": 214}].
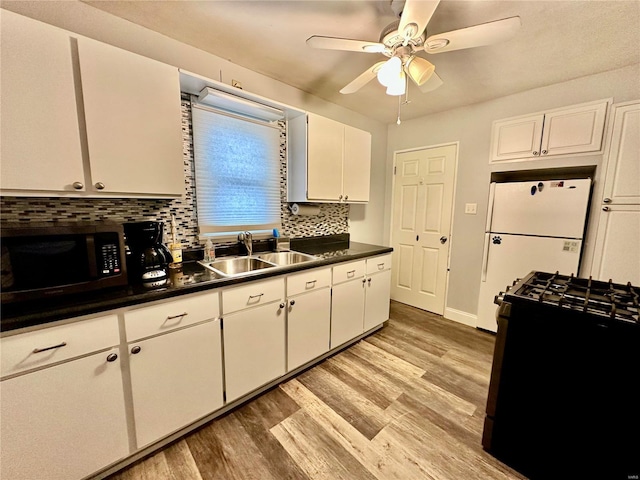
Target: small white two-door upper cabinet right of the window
[{"x": 328, "y": 161}]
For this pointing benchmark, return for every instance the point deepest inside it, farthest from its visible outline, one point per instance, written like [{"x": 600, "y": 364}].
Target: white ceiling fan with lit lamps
[{"x": 403, "y": 39}]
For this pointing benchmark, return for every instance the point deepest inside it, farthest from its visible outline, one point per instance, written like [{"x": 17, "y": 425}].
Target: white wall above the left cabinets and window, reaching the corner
[{"x": 366, "y": 221}]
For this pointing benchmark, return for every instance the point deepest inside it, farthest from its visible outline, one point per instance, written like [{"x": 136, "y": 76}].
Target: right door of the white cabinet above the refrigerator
[{"x": 574, "y": 130}]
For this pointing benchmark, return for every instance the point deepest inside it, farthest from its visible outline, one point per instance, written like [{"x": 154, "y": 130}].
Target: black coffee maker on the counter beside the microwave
[{"x": 147, "y": 258}]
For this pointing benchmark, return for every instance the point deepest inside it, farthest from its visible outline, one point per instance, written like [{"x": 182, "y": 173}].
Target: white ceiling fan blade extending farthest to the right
[{"x": 476, "y": 36}]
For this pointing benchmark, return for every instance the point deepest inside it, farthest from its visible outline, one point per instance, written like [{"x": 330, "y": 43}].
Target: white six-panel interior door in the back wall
[{"x": 422, "y": 209}]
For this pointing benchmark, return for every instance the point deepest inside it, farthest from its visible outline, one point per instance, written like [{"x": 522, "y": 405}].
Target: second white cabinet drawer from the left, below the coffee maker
[{"x": 166, "y": 316}]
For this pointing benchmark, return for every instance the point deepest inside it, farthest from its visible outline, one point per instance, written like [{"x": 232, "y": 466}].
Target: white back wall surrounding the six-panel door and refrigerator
[{"x": 471, "y": 126}]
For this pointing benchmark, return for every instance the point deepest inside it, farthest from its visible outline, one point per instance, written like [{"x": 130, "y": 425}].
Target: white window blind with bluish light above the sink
[{"x": 237, "y": 166}]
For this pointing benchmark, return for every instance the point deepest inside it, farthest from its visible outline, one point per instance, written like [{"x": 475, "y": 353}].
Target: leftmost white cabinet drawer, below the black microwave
[{"x": 42, "y": 347}]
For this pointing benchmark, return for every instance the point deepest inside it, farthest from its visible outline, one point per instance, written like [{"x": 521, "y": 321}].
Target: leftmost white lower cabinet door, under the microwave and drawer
[{"x": 63, "y": 422}]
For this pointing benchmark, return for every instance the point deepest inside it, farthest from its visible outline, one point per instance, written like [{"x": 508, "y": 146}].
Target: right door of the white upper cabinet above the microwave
[{"x": 132, "y": 111}]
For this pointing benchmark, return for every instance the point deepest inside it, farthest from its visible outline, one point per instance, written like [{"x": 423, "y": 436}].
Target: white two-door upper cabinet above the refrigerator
[{"x": 576, "y": 129}]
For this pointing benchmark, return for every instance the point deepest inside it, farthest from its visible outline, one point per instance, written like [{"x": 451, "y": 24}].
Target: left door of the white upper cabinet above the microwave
[{"x": 40, "y": 135}]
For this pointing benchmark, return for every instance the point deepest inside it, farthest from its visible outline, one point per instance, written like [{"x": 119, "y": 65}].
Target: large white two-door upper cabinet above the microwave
[{"x": 87, "y": 119}]
